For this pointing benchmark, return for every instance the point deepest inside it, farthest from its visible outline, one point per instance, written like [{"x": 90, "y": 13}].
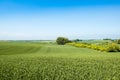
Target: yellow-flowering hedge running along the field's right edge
[{"x": 109, "y": 47}]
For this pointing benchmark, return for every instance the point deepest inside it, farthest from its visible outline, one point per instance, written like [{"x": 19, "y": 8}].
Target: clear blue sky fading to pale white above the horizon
[{"x": 48, "y": 19}]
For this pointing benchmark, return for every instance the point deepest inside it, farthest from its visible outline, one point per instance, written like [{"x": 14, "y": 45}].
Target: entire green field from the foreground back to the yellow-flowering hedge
[{"x": 48, "y": 61}]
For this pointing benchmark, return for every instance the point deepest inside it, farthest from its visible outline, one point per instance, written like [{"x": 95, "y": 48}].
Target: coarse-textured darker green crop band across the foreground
[{"x": 59, "y": 69}]
